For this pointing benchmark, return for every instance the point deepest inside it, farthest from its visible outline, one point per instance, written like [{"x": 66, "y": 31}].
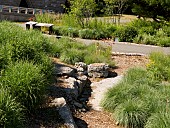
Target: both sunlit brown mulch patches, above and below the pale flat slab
[{"x": 101, "y": 119}]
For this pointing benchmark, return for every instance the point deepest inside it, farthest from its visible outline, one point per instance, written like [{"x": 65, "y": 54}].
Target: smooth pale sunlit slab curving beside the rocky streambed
[{"x": 100, "y": 88}]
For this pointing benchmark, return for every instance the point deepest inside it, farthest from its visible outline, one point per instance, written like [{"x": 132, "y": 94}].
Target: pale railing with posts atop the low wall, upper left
[{"x": 13, "y": 9}]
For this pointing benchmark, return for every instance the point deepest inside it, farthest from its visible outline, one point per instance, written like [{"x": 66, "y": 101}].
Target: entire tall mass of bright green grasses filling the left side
[{"x": 25, "y": 69}]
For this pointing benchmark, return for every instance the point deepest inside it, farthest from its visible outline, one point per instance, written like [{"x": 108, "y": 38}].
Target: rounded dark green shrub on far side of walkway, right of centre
[{"x": 126, "y": 33}]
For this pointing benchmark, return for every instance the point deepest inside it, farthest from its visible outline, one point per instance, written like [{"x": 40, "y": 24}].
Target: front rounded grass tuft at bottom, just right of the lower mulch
[{"x": 132, "y": 114}]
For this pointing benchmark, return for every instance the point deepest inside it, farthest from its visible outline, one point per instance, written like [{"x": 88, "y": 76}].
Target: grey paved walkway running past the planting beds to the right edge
[{"x": 123, "y": 47}]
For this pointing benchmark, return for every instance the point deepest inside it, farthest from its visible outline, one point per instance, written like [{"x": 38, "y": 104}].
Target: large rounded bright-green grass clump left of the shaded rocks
[{"x": 25, "y": 82}]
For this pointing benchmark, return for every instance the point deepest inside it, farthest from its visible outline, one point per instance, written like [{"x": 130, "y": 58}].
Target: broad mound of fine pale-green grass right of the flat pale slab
[{"x": 136, "y": 98}]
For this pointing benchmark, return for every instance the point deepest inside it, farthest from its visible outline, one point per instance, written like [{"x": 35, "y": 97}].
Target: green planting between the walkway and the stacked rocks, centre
[{"x": 70, "y": 51}]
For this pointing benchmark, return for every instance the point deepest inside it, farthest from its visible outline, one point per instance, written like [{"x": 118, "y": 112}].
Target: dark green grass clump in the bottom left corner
[{"x": 11, "y": 112}]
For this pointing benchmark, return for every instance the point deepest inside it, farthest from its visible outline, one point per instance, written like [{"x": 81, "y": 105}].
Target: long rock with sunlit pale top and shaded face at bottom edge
[{"x": 64, "y": 112}]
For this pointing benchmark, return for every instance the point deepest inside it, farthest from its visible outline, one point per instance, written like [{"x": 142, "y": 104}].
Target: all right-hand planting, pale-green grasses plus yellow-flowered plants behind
[{"x": 141, "y": 99}]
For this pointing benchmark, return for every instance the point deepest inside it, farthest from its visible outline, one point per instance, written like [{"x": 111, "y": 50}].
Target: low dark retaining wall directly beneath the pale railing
[{"x": 19, "y": 17}]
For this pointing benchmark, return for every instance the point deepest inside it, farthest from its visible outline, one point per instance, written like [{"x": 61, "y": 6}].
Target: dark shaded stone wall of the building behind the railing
[{"x": 55, "y": 5}]
